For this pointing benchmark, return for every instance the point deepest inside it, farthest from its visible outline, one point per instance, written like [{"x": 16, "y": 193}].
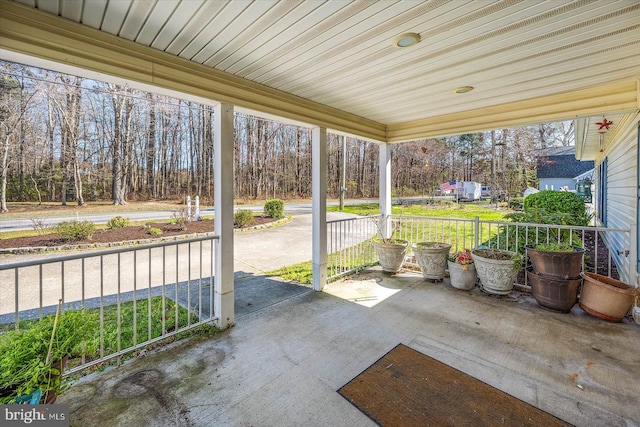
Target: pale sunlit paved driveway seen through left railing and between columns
[{"x": 255, "y": 253}]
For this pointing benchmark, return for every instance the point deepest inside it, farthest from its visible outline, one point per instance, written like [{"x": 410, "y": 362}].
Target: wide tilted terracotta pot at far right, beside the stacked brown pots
[{"x": 606, "y": 298}]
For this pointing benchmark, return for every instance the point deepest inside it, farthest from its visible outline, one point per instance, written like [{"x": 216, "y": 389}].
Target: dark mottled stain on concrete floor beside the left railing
[{"x": 142, "y": 391}]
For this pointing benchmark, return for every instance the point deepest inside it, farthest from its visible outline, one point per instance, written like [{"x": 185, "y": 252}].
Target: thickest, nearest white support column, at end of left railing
[{"x": 223, "y": 224}]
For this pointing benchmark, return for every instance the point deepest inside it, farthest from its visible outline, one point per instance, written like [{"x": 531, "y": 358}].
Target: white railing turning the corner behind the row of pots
[{"x": 345, "y": 257}]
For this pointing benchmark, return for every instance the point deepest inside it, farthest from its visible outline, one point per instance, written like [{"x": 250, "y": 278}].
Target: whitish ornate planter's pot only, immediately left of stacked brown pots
[{"x": 496, "y": 276}]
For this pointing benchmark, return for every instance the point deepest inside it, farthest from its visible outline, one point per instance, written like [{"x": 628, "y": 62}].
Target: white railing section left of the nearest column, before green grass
[{"x": 143, "y": 294}]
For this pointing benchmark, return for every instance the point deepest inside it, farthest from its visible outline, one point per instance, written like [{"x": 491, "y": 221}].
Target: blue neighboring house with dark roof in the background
[{"x": 558, "y": 168}]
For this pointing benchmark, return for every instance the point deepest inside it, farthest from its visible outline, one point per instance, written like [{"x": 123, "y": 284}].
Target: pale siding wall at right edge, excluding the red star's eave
[{"x": 622, "y": 181}]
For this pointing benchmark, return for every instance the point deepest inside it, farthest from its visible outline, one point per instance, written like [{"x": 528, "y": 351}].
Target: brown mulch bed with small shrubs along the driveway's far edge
[{"x": 136, "y": 232}]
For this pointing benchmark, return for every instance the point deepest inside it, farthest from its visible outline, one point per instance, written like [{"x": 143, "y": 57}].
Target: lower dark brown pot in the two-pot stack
[{"x": 554, "y": 293}]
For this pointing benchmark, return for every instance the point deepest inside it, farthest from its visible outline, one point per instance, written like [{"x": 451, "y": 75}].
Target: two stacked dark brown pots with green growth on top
[{"x": 554, "y": 275}]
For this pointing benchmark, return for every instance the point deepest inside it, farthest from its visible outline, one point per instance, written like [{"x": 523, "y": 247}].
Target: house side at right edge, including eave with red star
[{"x": 616, "y": 180}]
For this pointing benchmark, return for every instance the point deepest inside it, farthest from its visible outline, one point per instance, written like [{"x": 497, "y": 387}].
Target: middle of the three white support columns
[{"x": 319, "y": 206}]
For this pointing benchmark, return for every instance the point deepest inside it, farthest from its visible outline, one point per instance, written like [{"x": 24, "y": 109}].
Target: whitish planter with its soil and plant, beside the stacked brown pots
[{"x": 497, "y": 269}]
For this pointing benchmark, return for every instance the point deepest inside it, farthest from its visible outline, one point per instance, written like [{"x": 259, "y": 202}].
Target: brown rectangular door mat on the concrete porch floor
[{"x": 407, "y": 388}]
